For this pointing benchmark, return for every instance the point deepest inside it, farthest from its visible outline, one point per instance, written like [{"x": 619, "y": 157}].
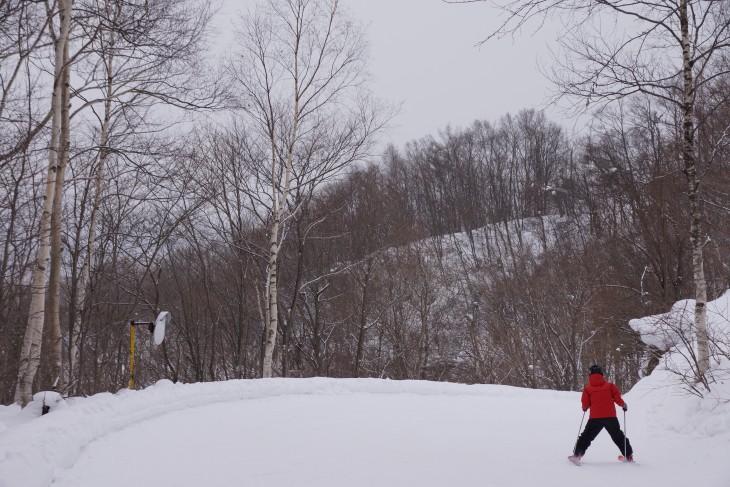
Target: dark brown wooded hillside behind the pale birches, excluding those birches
[{"x": 501, "y": 253}]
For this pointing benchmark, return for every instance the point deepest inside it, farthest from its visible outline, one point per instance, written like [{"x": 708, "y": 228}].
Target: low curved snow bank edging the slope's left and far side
[{"x": 30, "y": 452}]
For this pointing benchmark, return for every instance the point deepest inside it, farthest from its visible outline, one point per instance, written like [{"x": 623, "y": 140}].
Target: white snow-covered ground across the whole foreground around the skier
[{"x": 358, "y": 432}]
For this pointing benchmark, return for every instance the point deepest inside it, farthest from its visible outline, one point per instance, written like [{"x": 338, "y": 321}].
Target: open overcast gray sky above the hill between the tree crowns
[{"x": 423, "y": 54}]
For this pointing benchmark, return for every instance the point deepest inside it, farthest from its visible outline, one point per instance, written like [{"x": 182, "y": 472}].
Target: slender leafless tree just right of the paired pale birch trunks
[{"x": 143, "y": 55}]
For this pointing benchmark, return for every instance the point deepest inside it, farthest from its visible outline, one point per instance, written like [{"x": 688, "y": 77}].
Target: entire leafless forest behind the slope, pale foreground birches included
[{"x": 245, "y": 199}]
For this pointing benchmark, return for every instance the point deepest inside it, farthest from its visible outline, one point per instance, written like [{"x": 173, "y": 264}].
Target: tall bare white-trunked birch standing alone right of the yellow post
[{"x": 299, "y": 72}]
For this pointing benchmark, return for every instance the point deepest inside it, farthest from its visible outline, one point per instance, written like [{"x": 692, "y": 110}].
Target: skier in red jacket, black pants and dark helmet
[{"x": 599, "y": 396}]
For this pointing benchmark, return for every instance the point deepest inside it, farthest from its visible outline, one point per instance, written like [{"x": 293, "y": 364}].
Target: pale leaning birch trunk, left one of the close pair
[{"x": 30, "y": 353}]
